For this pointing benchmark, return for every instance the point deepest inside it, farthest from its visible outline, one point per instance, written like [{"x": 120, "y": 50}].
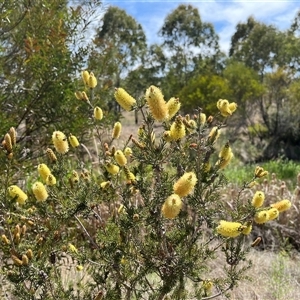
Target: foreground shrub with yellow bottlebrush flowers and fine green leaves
[{"x": 143, "y": 219}]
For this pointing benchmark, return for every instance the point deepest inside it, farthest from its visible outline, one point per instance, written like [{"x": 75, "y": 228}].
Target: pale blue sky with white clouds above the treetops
[{"x": 224, "y": 15}]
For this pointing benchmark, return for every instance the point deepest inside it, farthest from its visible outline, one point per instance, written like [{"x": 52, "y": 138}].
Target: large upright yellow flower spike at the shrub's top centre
[{"x": 156, "y": 103}]
